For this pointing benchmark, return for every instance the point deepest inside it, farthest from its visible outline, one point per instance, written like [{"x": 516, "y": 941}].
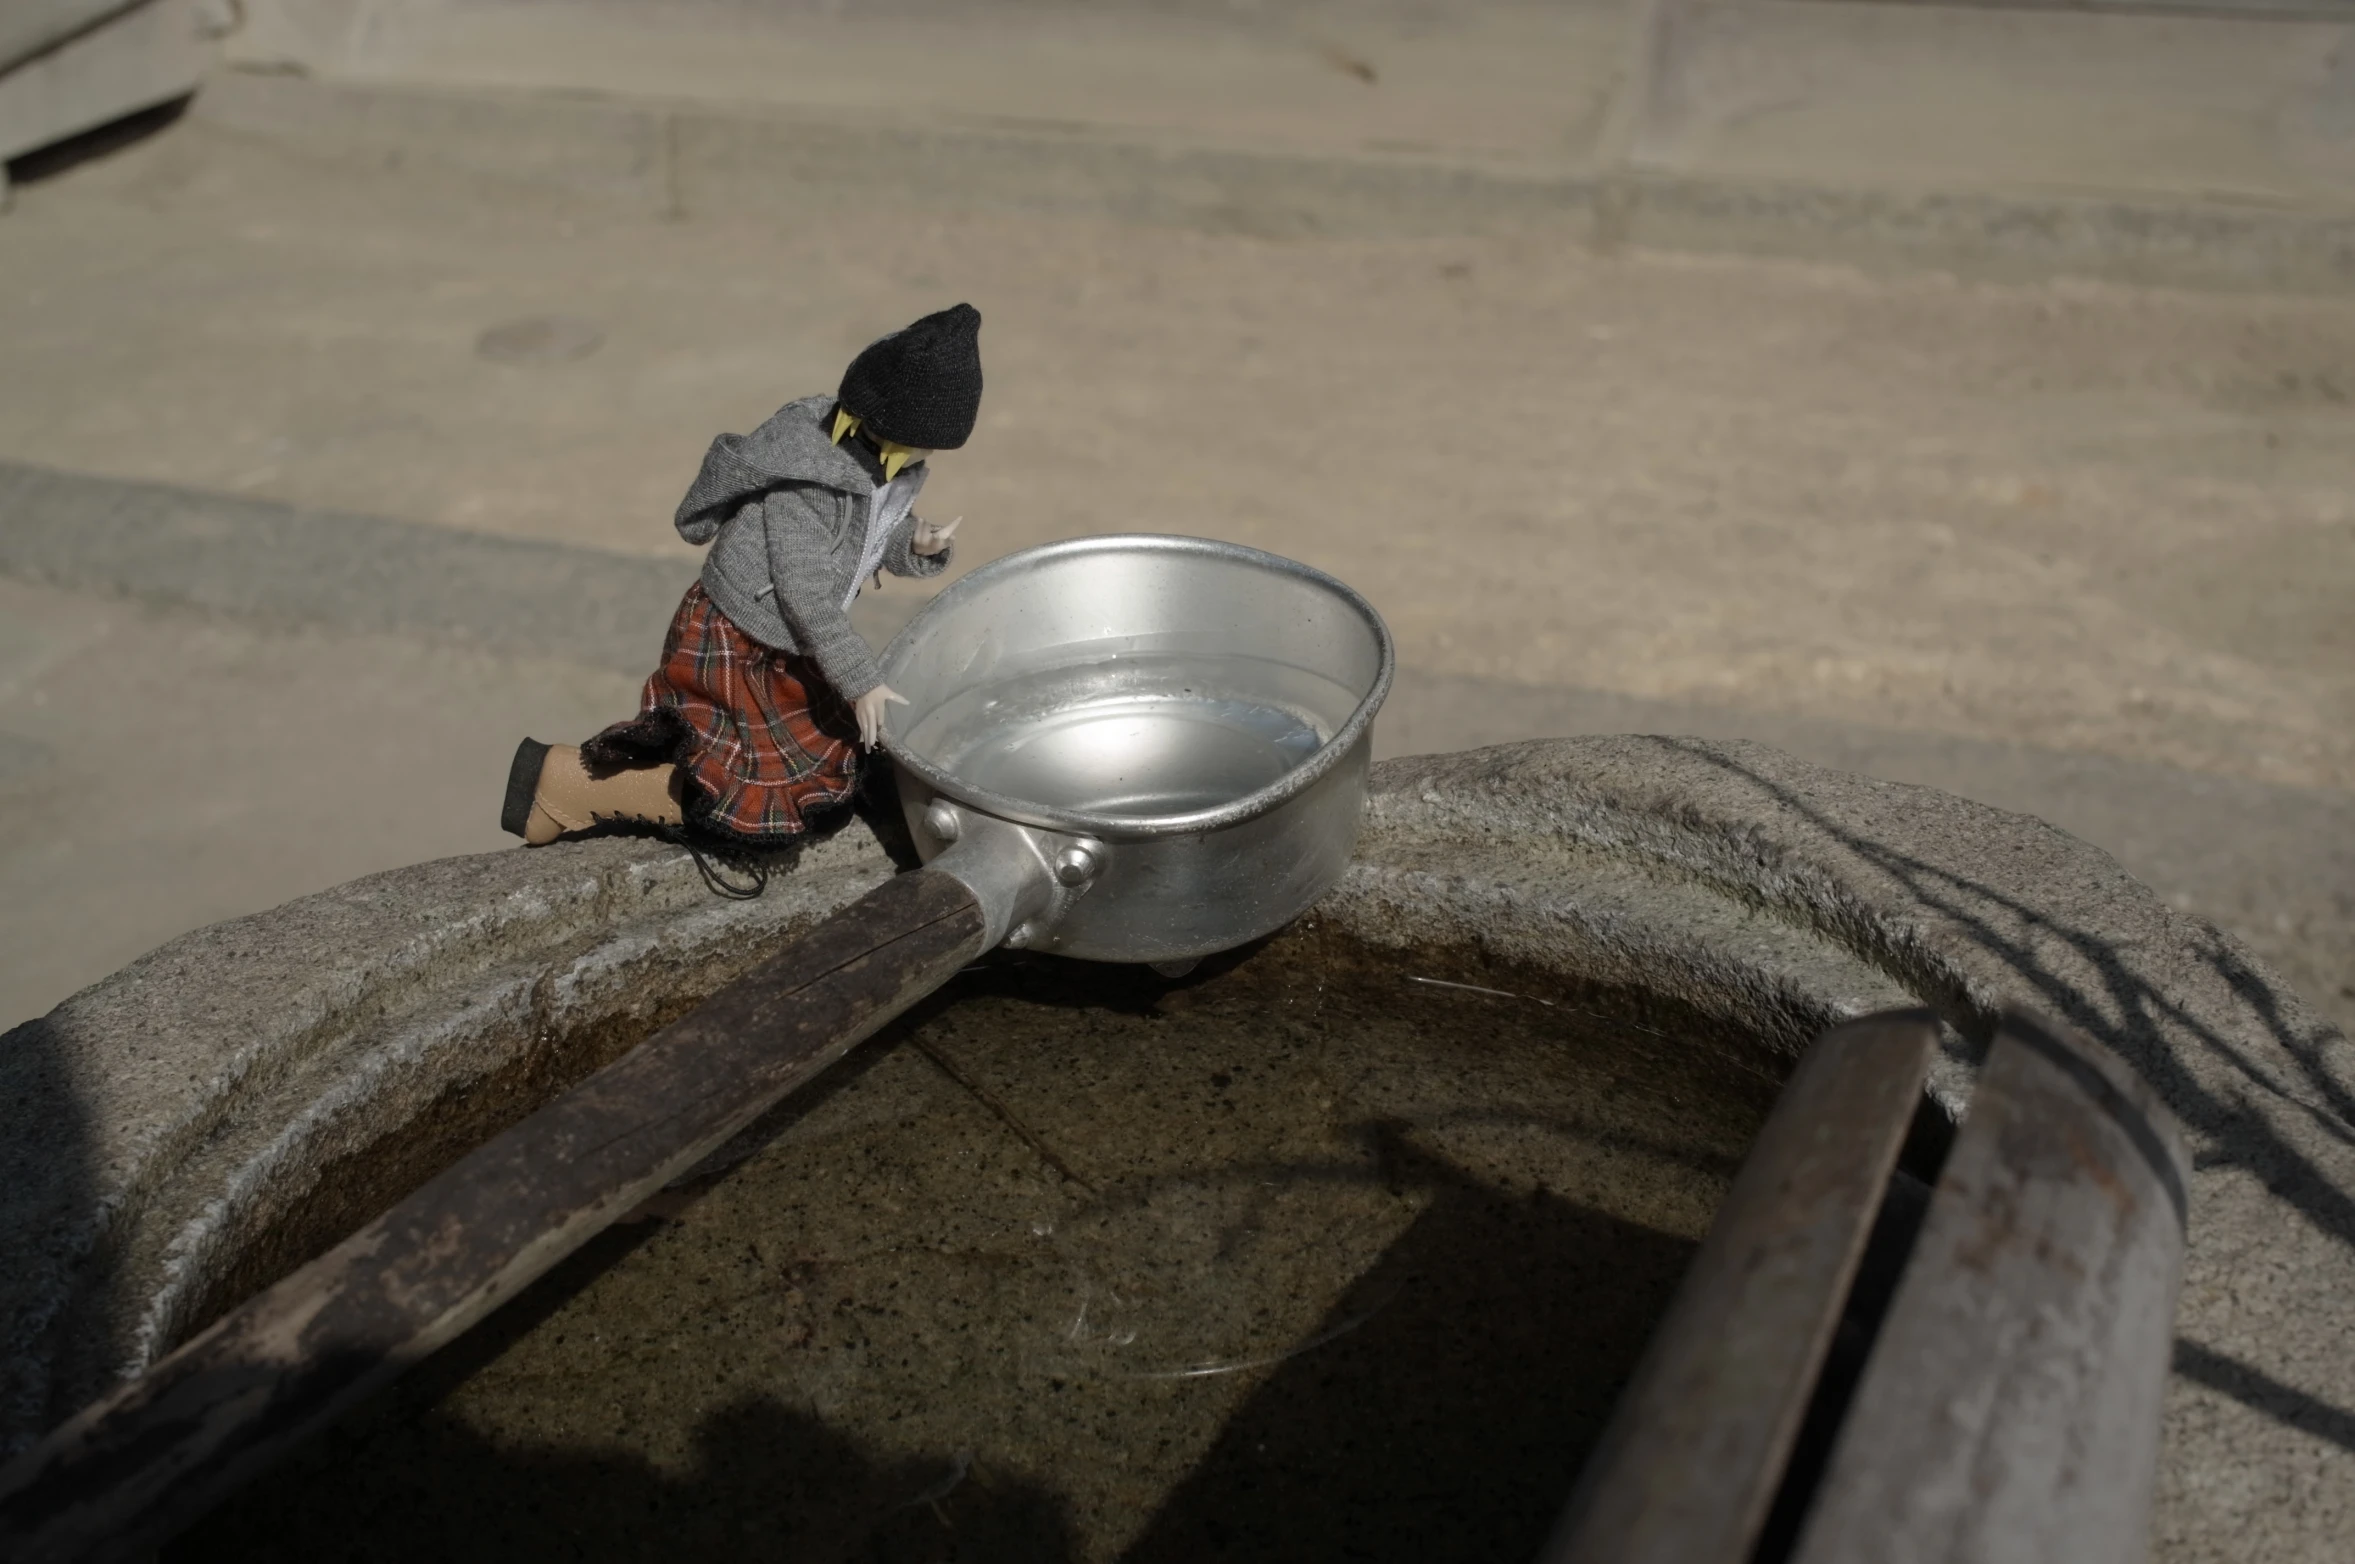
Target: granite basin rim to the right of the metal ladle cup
[{"x": 1963, "y": 908}]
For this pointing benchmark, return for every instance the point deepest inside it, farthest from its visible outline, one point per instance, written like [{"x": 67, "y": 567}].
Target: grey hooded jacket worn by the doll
[{"x": 788, "y": 510}]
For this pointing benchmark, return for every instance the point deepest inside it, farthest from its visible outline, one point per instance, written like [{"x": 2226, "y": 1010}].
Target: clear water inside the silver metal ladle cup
[{"x": 1148, "y": 734}]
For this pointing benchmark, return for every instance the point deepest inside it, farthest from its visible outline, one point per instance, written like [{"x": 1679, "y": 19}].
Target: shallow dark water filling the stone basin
[{"x": 1301, "y": 1259}]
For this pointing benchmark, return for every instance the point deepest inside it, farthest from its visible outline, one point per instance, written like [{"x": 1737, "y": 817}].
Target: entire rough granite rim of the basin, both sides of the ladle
[{"x": 168, "y": 1127}]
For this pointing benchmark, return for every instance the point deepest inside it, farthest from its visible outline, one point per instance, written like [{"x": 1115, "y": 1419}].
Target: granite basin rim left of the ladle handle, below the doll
[{"x": 168, "y": 1118}]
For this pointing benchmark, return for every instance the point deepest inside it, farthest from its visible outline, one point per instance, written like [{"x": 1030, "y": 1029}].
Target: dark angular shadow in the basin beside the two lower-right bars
[{"x": 1466, "y": 1379}]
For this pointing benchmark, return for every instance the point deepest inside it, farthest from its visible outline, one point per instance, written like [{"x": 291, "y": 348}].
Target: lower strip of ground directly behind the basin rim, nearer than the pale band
[{"x": 312, "y": 696}]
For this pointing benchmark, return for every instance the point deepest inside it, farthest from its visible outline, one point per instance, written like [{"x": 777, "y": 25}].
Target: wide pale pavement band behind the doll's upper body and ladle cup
[{"x": 2071, "y": 517}]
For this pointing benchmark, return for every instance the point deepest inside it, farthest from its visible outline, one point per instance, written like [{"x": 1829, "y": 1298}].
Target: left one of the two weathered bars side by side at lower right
[{"x": 1697, "y": 1452}]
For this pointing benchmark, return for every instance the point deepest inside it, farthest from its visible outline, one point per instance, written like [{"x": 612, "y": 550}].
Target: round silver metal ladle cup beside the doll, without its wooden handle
[{"x": 1139, "y": 748}]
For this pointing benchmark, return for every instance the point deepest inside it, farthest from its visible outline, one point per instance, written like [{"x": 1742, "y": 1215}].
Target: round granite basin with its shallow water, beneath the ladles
[{"x": 1369, "y": 1221}]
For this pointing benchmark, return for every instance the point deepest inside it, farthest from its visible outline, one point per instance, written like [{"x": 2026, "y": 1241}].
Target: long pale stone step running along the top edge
[{"x": 2208, "y": 150}]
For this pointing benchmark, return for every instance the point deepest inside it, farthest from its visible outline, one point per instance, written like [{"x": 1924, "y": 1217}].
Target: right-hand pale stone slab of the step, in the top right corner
[{"x": 2055, "y": 102}]
